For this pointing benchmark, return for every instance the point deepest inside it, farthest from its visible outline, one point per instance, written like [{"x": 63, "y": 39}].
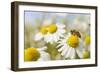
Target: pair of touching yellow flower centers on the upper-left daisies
[{"x": 50, "y": 28}]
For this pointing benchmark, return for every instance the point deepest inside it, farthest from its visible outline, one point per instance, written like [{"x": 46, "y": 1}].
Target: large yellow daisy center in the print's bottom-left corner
[{"x": 31, "y": 54}]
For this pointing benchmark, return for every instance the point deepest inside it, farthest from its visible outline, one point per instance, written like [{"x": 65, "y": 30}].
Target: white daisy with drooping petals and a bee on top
[{"x": 71, "y": 45}]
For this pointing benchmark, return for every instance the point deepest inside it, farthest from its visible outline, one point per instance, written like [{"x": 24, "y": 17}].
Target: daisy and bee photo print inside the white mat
[{"x": 65, "y": 35}]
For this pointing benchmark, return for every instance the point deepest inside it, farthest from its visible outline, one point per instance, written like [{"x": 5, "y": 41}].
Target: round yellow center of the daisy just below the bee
[{"x": 73, "y": 41}]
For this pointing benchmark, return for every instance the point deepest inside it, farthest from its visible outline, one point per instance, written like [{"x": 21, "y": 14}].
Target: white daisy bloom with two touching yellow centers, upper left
[{"x": 50, "y": 33}]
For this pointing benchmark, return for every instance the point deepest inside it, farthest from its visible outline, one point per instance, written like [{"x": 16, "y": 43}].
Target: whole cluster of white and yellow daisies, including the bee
[{"x": 71, "y": 44}]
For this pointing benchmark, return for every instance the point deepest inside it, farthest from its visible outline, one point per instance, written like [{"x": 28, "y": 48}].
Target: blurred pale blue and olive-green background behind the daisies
[{"x": 34, "y": 20}]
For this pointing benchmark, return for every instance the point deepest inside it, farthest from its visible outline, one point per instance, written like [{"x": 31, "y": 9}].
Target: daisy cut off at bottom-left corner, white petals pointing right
[{"x": 36, "y": 54}]
